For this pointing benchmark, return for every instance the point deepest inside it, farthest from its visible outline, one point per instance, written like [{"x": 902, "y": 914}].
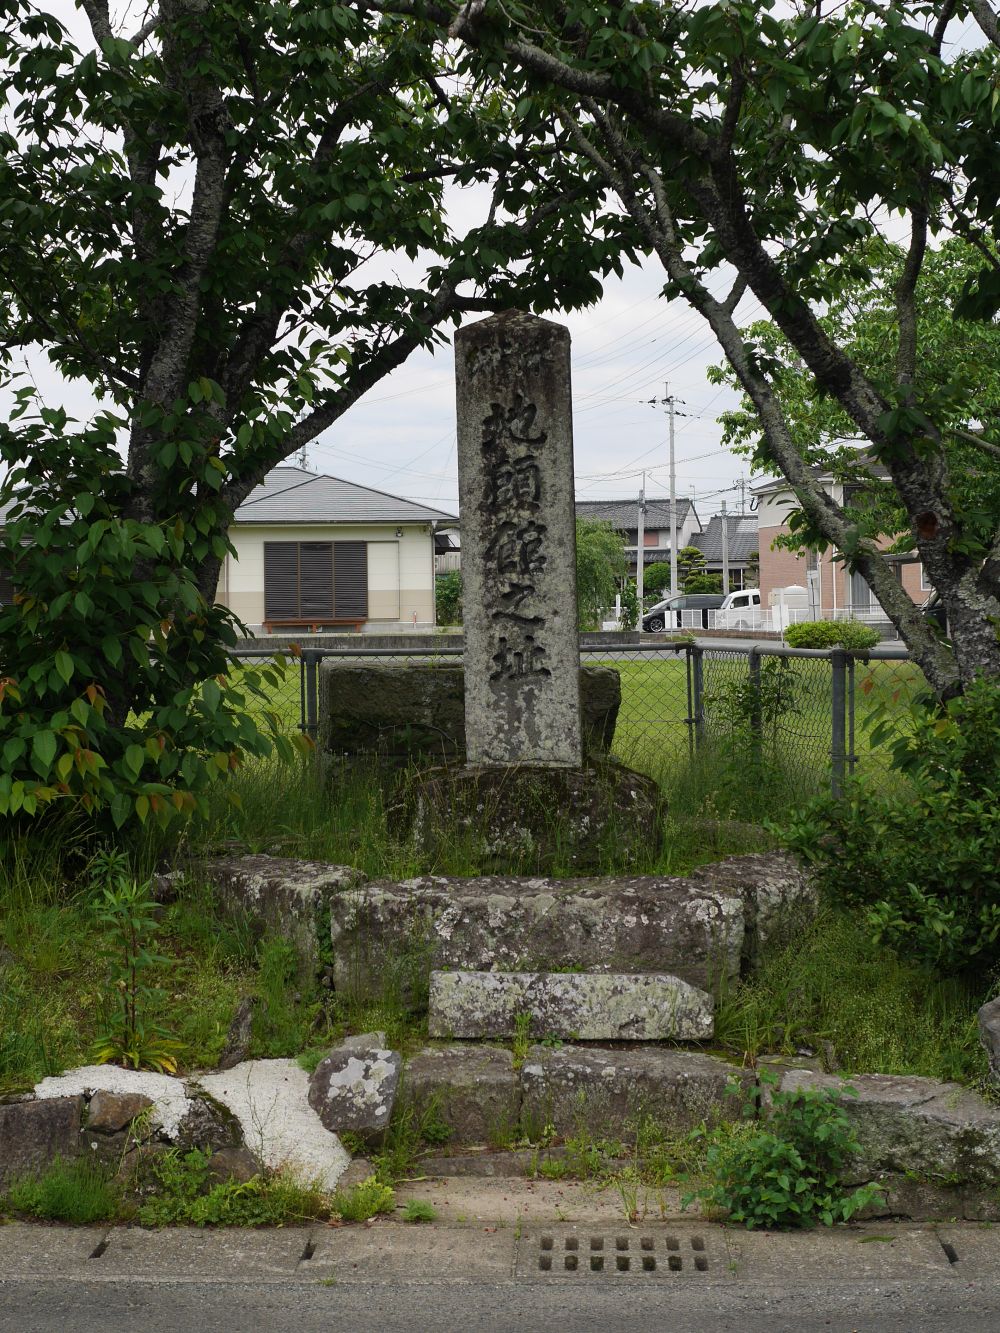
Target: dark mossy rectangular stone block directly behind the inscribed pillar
[{"x": 415, "y": 712}]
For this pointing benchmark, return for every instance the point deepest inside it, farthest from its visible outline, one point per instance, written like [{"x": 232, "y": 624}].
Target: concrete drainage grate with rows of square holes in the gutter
[{"x": 639, "y": 1254}]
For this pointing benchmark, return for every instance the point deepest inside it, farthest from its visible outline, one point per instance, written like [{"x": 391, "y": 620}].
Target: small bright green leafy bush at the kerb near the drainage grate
[{"x": 786, "y": 1174}]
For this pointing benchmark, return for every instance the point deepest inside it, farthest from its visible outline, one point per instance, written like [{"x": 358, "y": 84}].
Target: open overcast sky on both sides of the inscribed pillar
[{"x": 402, "y": 437}]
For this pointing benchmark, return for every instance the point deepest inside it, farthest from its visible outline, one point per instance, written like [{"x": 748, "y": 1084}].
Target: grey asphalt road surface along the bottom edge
[{"x": 299, "y": 1307}]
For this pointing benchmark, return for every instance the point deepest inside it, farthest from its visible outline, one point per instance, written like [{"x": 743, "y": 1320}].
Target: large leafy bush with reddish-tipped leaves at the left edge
[{"x": 118, "y": 699}]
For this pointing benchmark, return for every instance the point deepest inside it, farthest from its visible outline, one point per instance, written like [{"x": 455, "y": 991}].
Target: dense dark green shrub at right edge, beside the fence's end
[{"x": 923, "y": 863}]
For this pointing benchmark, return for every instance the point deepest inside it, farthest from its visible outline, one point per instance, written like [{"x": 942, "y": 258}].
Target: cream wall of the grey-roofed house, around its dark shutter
[{"x": 401, "y": 570}]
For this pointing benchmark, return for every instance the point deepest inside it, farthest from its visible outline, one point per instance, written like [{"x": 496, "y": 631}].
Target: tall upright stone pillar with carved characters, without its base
[{"x": 515, "y": 447}]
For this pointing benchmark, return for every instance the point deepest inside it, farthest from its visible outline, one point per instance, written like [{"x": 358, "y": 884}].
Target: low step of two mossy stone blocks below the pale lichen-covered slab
[{"x": 478, "y": 1095}]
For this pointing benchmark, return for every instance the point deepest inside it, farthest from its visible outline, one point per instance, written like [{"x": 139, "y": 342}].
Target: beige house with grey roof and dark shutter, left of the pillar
[{"x": 315, "y": 551}]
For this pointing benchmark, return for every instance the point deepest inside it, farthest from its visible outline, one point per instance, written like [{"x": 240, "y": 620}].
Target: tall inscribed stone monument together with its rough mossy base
[{"x": 526, "y": 788}]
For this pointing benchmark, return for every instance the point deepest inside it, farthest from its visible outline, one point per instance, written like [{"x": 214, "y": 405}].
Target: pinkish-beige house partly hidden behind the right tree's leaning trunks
[{"x": 835, "y": 591}]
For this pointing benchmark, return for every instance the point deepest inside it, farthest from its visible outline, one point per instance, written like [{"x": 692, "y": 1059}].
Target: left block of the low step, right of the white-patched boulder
[{"x": 473, "y": 1090}]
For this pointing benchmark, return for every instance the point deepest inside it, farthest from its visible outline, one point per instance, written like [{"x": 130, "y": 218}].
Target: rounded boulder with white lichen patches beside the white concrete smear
[{"x": 354, "y": 1090}]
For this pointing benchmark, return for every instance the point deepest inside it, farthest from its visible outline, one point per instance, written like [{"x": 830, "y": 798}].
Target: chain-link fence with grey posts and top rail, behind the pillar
[{"x": 807, "y": 712}]
